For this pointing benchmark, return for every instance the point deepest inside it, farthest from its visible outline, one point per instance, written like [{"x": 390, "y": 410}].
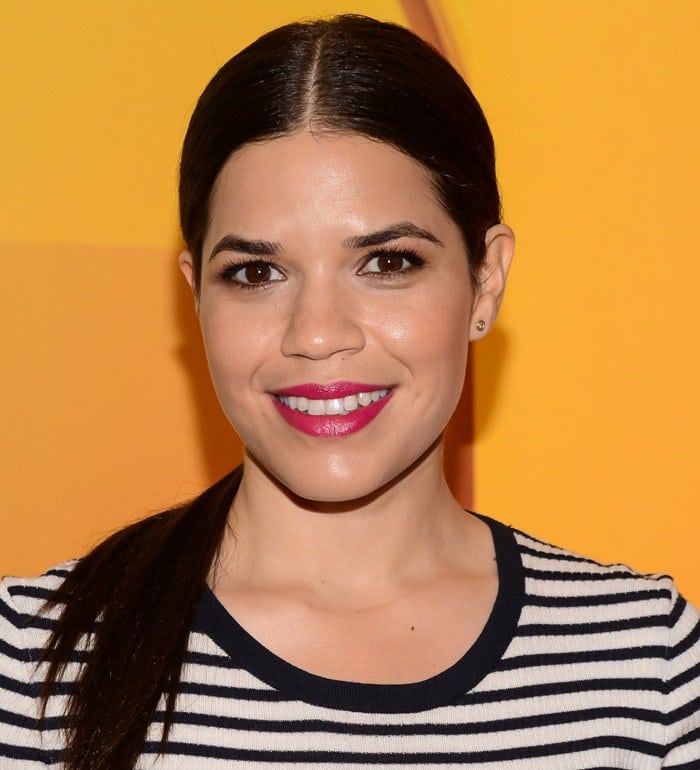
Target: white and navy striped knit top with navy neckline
[{"x": 580, "y": 666}]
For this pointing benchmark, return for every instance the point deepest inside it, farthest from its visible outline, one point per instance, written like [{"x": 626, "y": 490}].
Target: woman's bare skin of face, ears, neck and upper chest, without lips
[{"x": 346, "y": 553}]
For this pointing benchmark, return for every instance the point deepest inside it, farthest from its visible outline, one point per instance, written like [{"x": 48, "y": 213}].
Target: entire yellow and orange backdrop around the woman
[{"x": 585, "y": 410}]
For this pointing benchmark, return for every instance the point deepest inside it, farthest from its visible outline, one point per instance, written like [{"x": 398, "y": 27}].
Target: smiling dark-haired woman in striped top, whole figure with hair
[{"x": 329, "y": 603}]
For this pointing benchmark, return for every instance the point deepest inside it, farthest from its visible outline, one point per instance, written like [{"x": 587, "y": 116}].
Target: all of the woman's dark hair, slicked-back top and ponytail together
[{"x": 135, "y": 594}]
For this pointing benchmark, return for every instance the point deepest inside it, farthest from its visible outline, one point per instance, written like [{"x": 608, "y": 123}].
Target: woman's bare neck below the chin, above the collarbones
[{"x": 406, "y": 530}]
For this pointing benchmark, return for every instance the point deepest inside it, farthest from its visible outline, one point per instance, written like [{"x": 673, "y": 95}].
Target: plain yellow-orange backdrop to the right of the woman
[{"x": 588, "y": 417}]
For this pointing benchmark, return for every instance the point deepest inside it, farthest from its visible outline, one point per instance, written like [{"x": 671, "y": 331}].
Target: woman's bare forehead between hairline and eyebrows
[{"x": 313, "y": 178}]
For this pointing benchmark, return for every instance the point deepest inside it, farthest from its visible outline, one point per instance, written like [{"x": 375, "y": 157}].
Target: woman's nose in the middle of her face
[{"x": 322, "y": 322}]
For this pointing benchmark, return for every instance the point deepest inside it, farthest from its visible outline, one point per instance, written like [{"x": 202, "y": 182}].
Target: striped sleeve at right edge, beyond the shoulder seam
[{"x": 682, "y": 686}]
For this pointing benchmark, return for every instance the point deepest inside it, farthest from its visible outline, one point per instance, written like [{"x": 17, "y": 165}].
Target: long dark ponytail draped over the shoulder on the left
[{"x": 134, "y": 598}]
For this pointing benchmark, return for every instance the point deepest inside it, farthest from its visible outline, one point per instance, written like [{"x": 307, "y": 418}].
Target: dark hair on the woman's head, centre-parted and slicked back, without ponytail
[{"x": 349, "y": 74}]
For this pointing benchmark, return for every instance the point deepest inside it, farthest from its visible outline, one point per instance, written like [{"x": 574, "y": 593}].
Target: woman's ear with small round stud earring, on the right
[{"x": 500, "y": 243}]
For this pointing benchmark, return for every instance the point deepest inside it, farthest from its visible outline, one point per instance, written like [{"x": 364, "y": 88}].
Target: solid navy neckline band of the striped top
[{"x": 445, "y": 688}]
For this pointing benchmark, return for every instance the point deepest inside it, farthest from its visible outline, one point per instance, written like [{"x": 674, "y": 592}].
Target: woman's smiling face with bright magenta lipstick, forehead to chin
[{"x": 336, "y": 307}]
